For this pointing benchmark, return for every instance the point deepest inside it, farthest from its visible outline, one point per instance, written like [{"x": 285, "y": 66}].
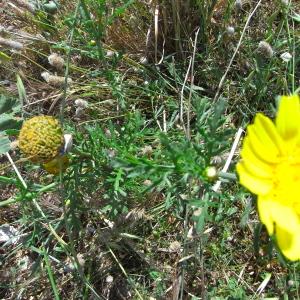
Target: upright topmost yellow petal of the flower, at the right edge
[{"x": 288, "y": 117}]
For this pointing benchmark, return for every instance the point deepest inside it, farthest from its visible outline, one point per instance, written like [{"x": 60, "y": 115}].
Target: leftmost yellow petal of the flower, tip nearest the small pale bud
[{"x": 255, "y": 184}]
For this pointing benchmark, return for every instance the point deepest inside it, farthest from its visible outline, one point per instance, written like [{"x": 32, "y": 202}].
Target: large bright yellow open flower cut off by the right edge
[{"x": 270, "y": 168}]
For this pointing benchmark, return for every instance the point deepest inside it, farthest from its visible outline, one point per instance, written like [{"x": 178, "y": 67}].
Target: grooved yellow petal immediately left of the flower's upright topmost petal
[{"x": 267, "y": 134}]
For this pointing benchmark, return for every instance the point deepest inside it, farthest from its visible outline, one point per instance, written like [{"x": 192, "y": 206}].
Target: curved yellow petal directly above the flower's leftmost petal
[{"x": 253, "y": 163}]
